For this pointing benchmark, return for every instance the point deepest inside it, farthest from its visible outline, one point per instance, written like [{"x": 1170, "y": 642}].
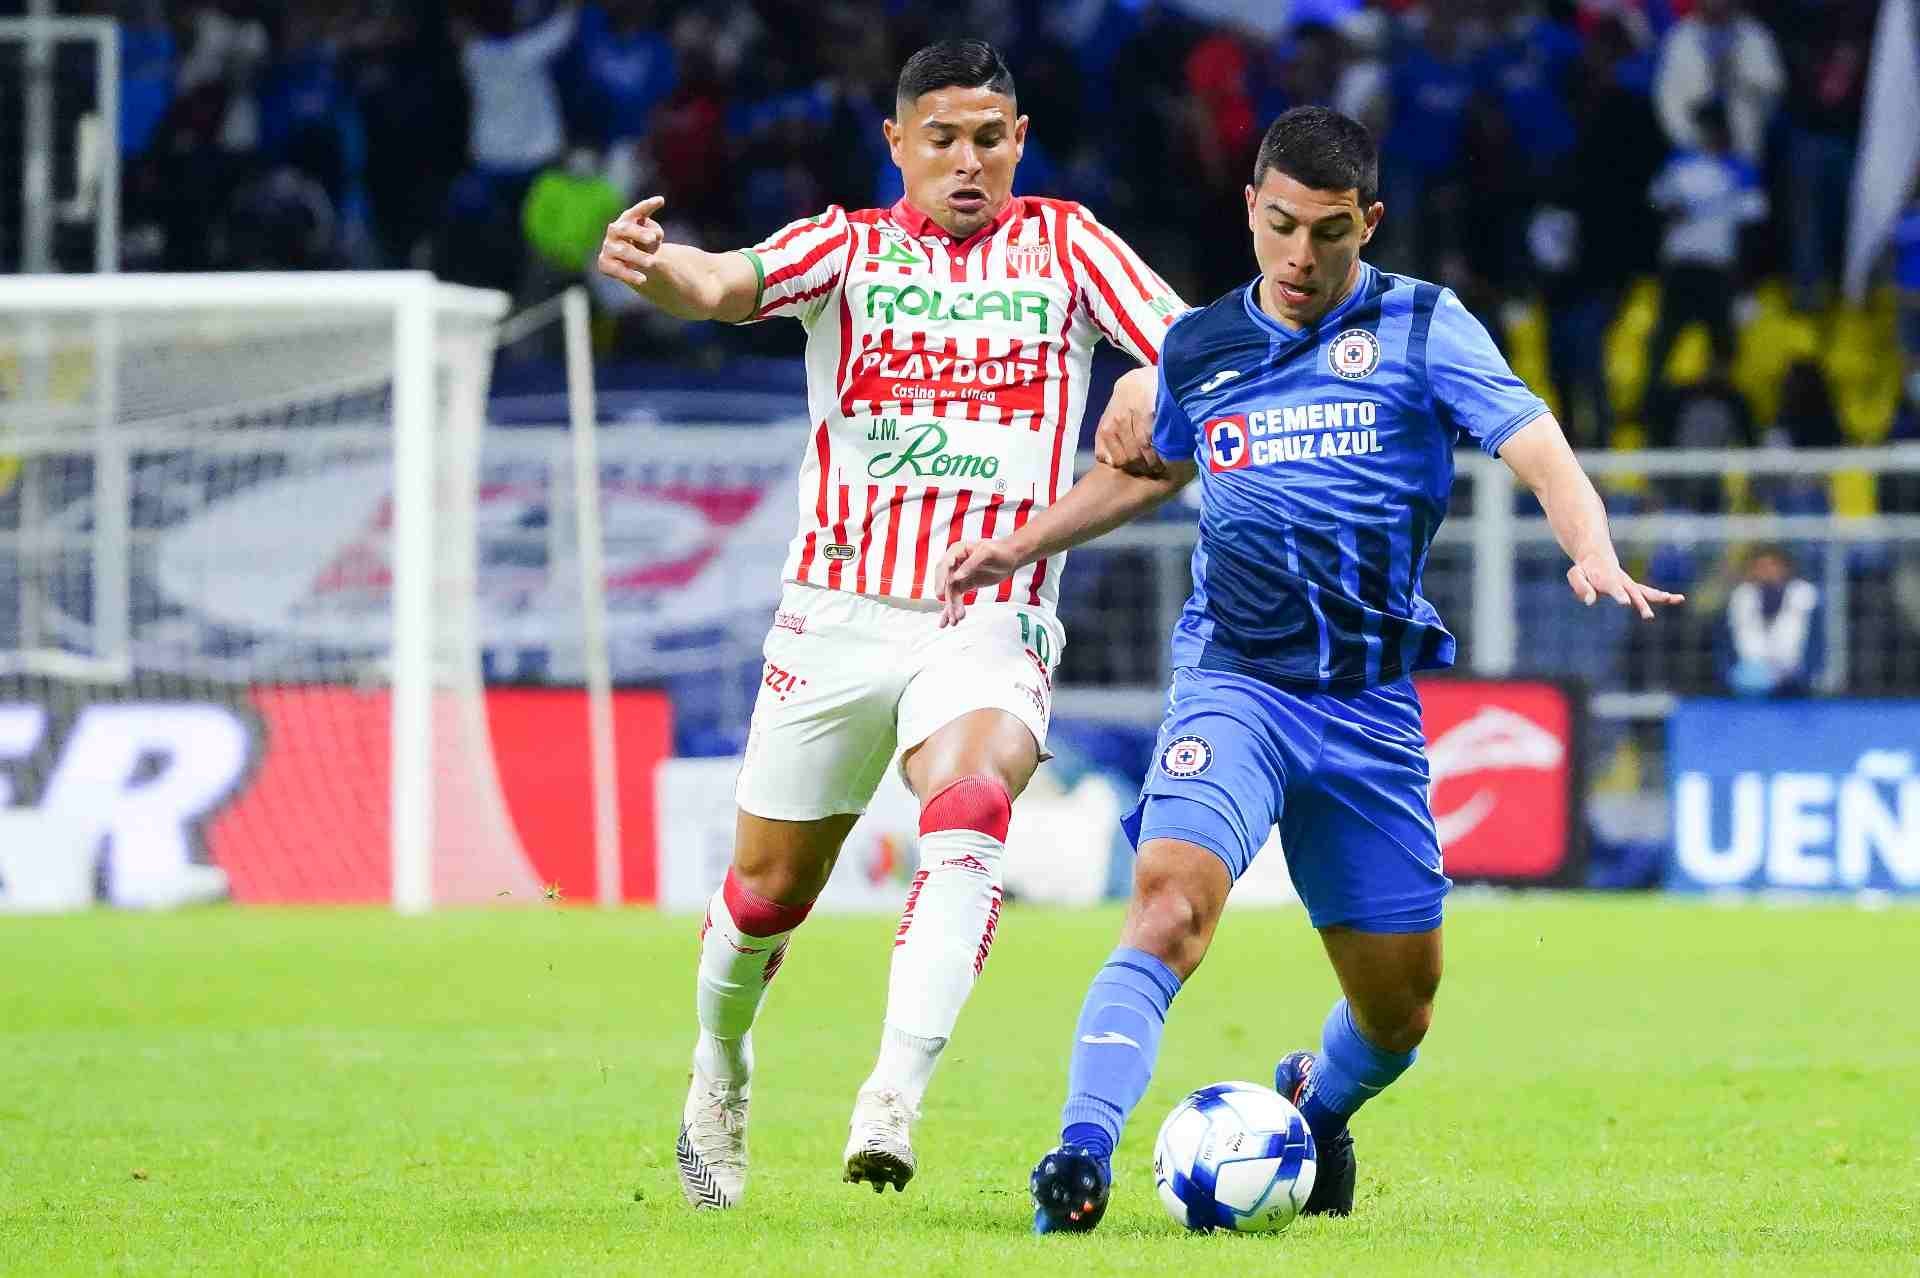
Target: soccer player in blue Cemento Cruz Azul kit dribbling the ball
[{"x": 1320, "y": 408}]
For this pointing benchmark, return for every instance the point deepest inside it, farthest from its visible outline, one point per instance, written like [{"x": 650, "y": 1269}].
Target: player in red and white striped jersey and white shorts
[{"x": 949, "y": 344}]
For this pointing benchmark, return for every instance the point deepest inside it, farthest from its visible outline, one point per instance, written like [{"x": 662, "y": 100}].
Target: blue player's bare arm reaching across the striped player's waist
[{"x": 1103, "y": 500}]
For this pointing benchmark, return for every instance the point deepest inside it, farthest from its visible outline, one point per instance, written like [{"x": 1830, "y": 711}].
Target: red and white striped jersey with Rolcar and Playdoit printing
[{"x": 948, "y": 379}]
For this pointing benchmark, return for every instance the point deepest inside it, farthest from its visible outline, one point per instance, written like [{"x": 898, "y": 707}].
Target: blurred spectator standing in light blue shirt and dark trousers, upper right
[{"x": 1710, "y": 195}]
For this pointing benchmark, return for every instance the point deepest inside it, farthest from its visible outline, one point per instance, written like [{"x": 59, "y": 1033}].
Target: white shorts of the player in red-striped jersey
[{"x": 852, "y": 680}]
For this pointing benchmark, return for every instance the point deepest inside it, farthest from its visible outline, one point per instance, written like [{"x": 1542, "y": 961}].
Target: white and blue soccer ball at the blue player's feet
[{"x": 1234, "y": 1156}]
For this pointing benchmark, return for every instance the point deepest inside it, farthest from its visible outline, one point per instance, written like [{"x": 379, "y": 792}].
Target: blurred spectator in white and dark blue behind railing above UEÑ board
[{"x": 1773, "y": 638}]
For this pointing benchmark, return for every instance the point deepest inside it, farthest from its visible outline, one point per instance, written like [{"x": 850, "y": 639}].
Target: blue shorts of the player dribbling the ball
[{"x": 1341, "y": 774}]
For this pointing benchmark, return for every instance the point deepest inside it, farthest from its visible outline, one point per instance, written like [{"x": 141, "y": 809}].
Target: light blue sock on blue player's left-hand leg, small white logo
[{"x": 1115, "y": 1047}]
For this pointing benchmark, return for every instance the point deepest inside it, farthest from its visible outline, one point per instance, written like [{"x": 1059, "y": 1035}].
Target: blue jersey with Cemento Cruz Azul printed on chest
[{"x": 1326, "y": 461}]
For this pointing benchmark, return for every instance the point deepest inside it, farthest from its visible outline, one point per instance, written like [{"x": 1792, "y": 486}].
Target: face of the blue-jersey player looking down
[{"x": 1308, "y": 245}]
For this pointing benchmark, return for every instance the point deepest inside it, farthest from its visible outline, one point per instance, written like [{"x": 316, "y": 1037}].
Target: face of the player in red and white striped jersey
[{"x": 957, "y": 151}]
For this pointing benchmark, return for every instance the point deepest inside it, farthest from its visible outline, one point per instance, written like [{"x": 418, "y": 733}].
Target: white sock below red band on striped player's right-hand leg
[{"x": 938, "y": 953}]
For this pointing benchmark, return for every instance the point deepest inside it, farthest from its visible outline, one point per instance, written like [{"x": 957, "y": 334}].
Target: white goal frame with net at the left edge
[{"x": 237, "y": 594}]
